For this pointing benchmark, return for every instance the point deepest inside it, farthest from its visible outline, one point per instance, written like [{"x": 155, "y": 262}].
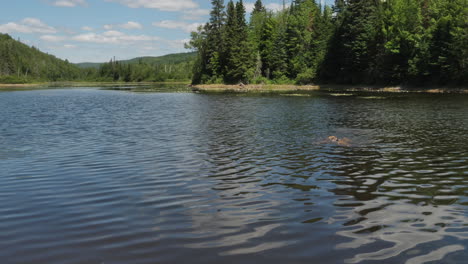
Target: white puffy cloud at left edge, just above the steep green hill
[{"x": 27, "y": 25}]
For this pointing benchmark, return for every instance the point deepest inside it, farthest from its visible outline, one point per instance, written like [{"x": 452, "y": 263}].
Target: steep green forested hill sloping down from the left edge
[{"x": 22, "y": 63}]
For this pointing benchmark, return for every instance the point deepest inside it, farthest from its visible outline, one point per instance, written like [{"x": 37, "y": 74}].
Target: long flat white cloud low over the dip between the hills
[{"x": 113, "y": 37}]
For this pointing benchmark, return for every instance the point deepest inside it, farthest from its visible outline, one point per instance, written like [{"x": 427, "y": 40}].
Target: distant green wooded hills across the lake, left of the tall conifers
[{"x": 20, "y": 63}]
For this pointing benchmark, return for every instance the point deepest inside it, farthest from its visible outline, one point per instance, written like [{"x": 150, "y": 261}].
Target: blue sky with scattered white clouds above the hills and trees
[{"x": 97, "y": 30}]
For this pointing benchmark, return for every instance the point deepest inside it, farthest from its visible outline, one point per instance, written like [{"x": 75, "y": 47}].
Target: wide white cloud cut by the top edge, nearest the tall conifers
[{"x": 165, "y": 5}]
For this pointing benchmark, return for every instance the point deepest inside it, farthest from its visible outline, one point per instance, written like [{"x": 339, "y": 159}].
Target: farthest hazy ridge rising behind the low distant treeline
[{"x": 166, "y": 59}]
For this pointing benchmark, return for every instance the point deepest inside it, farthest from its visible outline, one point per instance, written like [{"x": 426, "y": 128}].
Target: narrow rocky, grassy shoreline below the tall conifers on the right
[{"x": 273, "y": 88}]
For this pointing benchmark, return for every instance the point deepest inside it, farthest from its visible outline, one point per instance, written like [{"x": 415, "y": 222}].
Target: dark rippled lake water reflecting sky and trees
[{"x": 102, "y": 176}]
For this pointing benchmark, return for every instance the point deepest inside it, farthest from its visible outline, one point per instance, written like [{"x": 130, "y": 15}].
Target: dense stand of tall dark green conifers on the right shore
[{"x": 416, "y": 42}]
